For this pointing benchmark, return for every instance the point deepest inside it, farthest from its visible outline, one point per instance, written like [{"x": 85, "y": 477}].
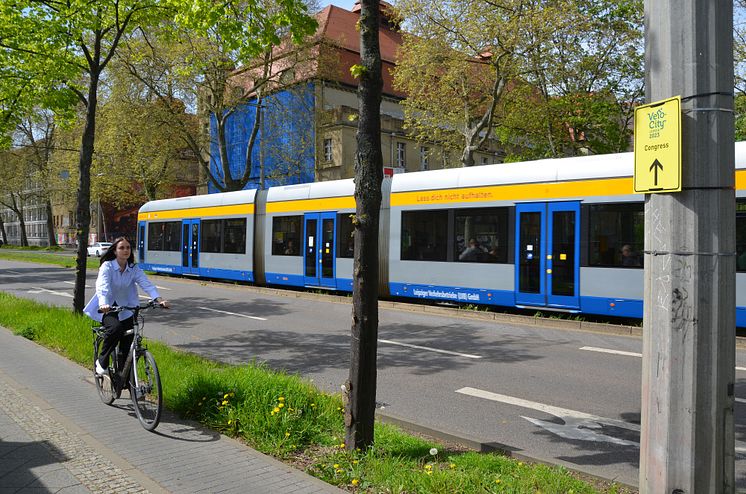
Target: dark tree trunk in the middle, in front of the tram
[{"x": 360, "y": 391}]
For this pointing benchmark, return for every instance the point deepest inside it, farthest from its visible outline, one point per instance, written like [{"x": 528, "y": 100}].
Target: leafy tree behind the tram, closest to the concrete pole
[{"x": 584, "y": 81}]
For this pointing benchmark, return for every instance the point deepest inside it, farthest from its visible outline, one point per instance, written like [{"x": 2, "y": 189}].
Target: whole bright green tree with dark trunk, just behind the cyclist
[{"x": 63, "y": 49}]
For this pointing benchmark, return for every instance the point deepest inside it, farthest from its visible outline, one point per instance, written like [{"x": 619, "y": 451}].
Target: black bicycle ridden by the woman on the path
[{"x": 141, "y": 379}]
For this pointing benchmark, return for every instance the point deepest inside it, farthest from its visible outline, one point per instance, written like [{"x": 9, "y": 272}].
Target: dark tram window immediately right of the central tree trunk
[{"x": 424, "y": 235}]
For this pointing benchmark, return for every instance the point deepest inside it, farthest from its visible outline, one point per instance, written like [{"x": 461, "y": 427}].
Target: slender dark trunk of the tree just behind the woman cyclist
[{"x": 83, "y": 218}]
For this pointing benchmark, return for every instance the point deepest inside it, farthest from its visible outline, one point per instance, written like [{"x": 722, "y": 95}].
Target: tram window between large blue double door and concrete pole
[{"x": 616, "y": 233}]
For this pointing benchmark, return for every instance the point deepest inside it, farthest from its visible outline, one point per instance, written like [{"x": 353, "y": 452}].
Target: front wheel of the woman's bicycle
[{"x": 145, "y": 390}]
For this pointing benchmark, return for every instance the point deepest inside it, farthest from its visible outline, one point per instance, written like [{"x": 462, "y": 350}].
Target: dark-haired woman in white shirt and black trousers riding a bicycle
[{"x": 117, "y": 282}]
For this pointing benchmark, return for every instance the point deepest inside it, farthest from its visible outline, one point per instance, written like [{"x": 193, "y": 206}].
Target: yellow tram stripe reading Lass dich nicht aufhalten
[{"x": 519, "y": 192}]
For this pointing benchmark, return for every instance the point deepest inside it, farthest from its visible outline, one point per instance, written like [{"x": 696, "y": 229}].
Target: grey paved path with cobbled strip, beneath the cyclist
[{"x": 57, "y": 436}]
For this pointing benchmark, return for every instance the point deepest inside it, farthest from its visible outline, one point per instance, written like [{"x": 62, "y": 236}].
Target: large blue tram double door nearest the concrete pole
[{"x": 548, "y": 254}]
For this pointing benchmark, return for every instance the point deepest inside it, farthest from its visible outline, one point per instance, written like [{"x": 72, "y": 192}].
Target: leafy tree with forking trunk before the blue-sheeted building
[{"x": 197, "y": 58}]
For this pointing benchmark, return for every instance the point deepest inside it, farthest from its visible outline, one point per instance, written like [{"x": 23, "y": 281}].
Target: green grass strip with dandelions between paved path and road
[{"x": 287, "y": 417}]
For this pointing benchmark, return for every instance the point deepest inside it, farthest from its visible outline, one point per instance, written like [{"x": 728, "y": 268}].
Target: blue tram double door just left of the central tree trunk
[{"x": 319, "y": 250}]
